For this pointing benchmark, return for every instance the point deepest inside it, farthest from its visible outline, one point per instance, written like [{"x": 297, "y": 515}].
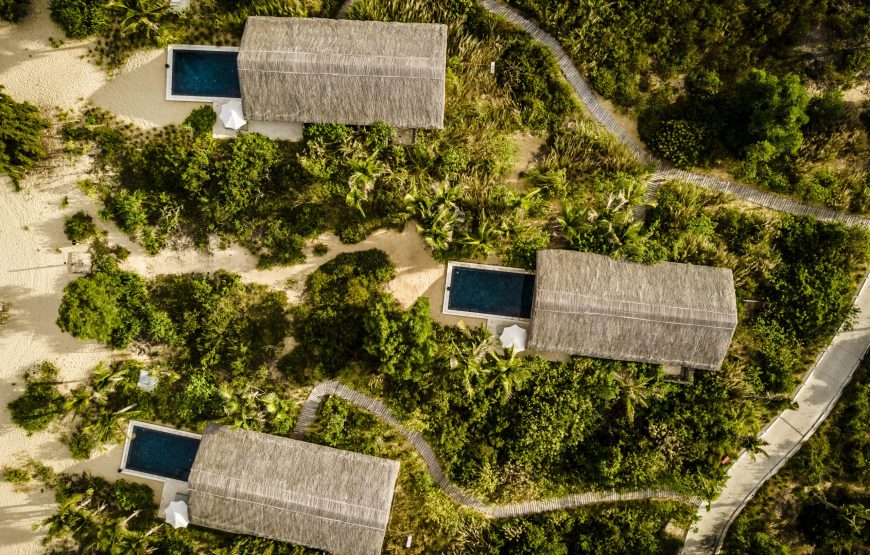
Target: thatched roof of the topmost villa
[{"x": 354, "y": 72}]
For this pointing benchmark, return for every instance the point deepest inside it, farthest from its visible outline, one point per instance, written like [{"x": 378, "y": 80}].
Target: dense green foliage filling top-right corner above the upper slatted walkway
[{"x": 722, "y": 84}]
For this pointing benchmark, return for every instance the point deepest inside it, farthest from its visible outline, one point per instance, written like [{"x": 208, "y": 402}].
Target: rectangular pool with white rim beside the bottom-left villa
[{"x": 158, "y": 452}]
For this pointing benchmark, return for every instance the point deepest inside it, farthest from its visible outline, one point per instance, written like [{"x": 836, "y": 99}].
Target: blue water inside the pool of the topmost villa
[{"x": 205, "y": 73}]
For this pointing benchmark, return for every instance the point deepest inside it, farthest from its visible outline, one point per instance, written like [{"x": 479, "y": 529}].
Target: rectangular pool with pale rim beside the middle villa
[{"x": 485, "y": 291}]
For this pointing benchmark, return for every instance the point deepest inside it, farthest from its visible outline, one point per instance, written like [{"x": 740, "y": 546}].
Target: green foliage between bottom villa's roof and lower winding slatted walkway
[{"x": 441, "y": 526}]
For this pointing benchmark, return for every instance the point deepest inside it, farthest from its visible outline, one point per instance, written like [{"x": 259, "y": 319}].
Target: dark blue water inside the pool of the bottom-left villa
[{"x": 161, "y": 453}]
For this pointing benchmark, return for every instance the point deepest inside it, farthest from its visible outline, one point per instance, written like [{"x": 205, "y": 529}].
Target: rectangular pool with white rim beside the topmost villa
[{"x": 202, "y": 73}]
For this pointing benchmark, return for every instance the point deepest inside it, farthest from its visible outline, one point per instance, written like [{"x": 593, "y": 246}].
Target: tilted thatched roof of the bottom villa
[{"x": 253, "y": 483}]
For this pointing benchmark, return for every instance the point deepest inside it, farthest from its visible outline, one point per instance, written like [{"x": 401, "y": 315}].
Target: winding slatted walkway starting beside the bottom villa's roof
[{"x": 325, "y": 389}]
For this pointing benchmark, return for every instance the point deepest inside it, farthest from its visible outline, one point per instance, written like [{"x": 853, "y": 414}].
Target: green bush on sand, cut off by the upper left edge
[{"x": 21, "y": 129}]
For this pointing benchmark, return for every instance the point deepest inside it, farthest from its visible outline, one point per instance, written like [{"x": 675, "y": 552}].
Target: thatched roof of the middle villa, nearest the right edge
[{"x": 667, "y": 313}]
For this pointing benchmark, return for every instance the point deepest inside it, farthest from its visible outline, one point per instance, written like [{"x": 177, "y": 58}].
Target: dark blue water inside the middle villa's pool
[{"x": 491, "y": 292}]
